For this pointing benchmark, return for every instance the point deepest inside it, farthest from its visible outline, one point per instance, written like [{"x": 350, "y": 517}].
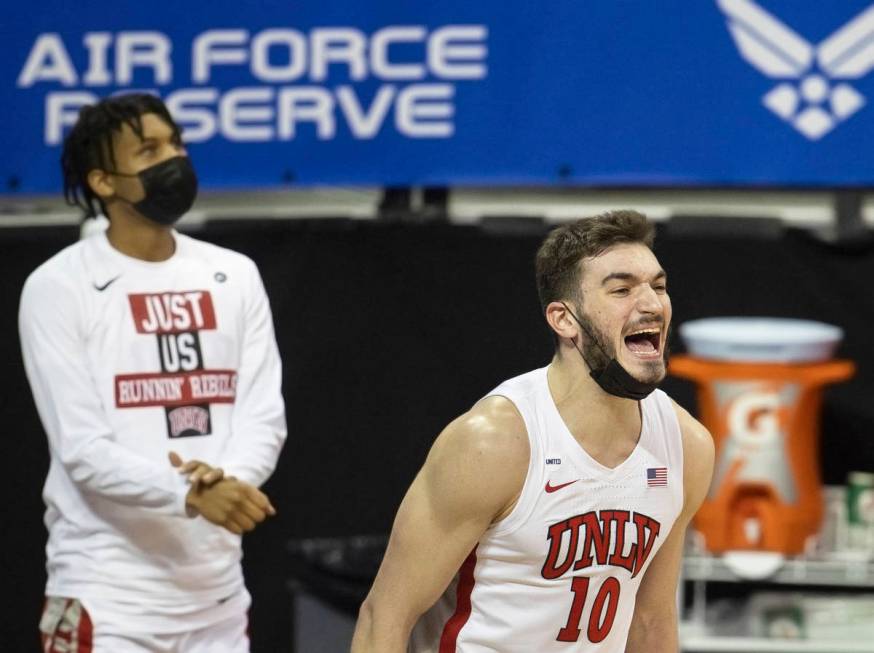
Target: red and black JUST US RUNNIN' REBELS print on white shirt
[{"x": 184, "y": 387}]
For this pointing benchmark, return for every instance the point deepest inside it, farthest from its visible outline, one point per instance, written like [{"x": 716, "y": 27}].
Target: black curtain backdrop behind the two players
[{"x": 387, "y": 332}]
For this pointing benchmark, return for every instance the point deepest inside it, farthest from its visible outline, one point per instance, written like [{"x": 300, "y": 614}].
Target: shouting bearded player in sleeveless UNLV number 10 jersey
[{"x": 551, "y": 516}]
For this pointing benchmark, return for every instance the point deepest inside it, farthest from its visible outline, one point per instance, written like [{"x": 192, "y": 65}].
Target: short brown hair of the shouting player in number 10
[{"x": 557, "y": 263}]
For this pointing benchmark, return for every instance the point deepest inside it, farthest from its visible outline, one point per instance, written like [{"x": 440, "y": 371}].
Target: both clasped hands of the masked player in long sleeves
[{"x": 225, "y": 501}]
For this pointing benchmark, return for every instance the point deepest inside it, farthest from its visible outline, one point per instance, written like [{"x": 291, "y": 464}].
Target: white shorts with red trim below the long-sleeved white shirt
[{"x": 67, "y": 627}]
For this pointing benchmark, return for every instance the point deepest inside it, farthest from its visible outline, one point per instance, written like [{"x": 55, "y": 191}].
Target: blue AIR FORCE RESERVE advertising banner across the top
[{"x": 601, "y": 93}]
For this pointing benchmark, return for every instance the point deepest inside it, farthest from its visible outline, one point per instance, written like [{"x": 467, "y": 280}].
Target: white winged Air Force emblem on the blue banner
[{"x": 811, "y": 95}]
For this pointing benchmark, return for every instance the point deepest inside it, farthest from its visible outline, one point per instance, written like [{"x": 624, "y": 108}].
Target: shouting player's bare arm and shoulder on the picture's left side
[{"x": 472, "y": 477}]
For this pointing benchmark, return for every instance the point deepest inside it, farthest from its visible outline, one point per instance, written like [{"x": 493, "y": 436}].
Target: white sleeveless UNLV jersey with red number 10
[{"x": 561, "y": 571}]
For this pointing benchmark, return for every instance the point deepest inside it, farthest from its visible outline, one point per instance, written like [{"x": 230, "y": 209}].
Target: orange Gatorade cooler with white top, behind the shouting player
[{"x": 759, "y": 392}]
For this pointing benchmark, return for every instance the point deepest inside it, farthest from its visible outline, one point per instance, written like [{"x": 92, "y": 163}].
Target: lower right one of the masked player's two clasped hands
[{"x": 232, "y": 504}]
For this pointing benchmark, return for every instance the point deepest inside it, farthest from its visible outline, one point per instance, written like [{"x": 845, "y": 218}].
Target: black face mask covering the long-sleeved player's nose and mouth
[{"x": 170, "y": 187}]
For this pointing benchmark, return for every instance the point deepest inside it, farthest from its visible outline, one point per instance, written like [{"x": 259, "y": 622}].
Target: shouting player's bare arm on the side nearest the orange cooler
[{"x": 654, "y": 626}]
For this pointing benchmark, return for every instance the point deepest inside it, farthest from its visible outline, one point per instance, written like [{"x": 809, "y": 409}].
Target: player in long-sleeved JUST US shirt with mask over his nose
[{"x": 119, "y": 334}]
